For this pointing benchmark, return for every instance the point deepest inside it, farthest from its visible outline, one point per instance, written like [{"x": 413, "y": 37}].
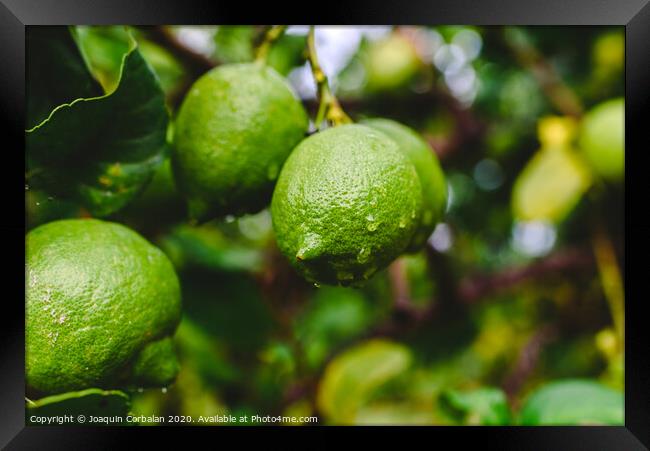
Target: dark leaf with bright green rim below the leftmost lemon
[{"x": 92, "y": 401}]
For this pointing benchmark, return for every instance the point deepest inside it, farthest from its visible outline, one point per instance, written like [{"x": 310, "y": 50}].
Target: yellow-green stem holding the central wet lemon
[{"x": 329, "y": 108}]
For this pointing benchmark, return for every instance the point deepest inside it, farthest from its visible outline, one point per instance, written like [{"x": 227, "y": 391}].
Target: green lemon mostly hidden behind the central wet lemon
[{"x": 432, "y": 179}]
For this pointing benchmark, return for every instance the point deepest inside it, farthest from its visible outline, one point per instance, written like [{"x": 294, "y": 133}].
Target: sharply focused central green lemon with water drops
[{"x": 347, "y": 202}]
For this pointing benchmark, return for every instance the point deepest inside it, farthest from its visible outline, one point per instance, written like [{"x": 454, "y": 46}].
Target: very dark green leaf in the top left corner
[{"x": 56, "y": 71}]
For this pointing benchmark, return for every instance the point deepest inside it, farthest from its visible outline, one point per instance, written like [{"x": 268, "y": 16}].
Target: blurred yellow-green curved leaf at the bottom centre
[{"x": 352, "y": 377}]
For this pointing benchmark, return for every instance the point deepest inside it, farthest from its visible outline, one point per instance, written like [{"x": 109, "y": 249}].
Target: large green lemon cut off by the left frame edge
[{"x": 102, "y": 305}]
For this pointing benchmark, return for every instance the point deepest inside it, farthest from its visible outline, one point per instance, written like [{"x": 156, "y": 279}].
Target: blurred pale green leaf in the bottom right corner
[{"x": 573, "y": 402}]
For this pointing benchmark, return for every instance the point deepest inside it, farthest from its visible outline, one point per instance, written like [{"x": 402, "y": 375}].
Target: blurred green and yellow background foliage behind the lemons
[{"x": 513, "y": 314}]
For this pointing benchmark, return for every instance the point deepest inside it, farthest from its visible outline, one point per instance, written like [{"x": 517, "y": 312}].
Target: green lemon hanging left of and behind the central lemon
[{"x": 235, "y": 128}]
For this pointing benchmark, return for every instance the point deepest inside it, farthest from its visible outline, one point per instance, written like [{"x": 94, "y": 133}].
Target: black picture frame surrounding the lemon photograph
[{"x": 15, "y": 15}]
